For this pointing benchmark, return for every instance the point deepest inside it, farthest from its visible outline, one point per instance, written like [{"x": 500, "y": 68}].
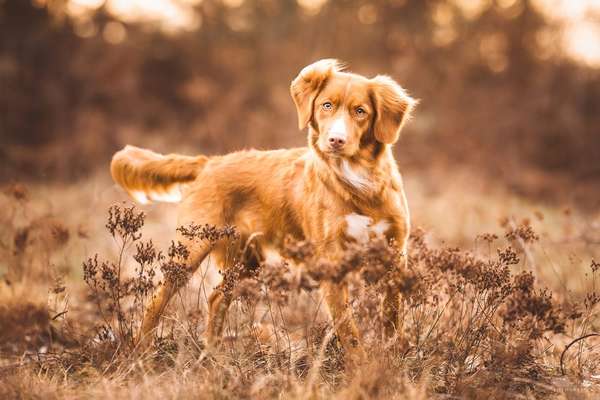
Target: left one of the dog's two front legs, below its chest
[{"x": 336, "y": 296}]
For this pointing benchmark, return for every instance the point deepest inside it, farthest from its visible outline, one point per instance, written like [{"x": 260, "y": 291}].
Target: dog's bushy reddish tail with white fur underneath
[{"x": 147, "y": 175}]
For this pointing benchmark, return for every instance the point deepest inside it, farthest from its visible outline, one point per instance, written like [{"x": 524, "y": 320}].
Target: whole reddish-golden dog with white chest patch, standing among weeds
[{"x": 343, "y": 187}]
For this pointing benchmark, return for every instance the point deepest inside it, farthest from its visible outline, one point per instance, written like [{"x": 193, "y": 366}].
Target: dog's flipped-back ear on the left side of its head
[{"x": 308, "y": 84}]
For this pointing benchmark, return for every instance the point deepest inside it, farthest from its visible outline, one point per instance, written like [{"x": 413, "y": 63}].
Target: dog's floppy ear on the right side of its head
[{"x": 392, "y": 108}]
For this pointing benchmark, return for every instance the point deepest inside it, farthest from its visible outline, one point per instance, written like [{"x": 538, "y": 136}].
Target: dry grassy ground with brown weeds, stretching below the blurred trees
[{"x": 478, "y": 320}]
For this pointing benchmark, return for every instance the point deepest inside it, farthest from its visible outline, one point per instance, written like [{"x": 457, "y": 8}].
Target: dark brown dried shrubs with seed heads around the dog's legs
[{"x": 471, "y": 326}]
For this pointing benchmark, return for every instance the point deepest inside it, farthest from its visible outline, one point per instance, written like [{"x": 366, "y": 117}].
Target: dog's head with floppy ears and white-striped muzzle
[{"x": 348, "y": 111}]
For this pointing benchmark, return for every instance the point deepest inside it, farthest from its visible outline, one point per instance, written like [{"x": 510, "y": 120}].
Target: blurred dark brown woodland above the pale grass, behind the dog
[{"x": 509, "y": 89}]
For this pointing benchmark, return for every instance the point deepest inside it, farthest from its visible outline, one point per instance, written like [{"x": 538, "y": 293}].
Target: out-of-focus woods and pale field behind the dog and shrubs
[{"x": 507, "y": 132}]
